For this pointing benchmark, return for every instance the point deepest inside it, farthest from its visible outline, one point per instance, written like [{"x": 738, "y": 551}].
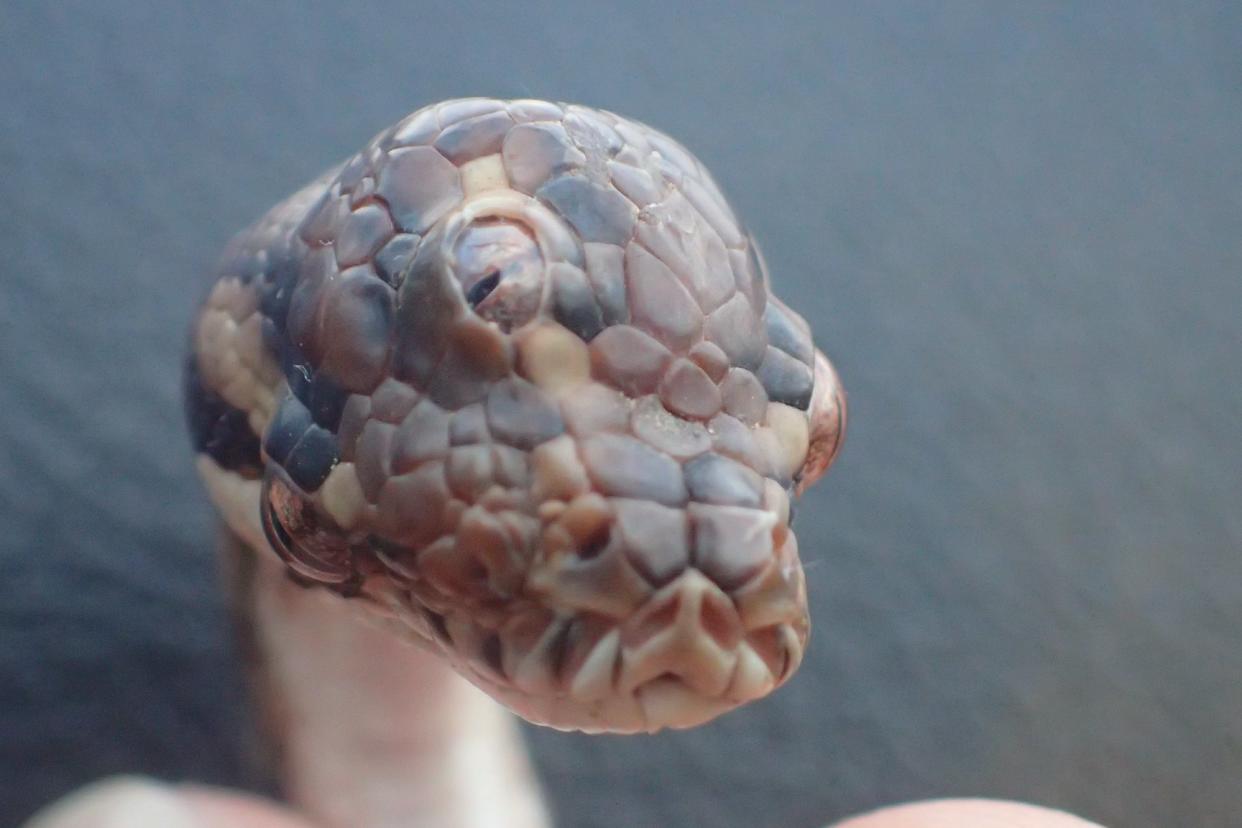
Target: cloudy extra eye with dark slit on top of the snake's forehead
[{"x": 501, "y": 271}]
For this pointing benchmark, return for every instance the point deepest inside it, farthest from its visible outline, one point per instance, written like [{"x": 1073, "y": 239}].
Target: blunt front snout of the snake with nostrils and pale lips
[{"x": 679, "y": 614}]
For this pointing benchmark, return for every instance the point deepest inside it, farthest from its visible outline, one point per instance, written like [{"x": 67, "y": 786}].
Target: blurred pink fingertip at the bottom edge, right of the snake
[{"x": 967, "y": 814}]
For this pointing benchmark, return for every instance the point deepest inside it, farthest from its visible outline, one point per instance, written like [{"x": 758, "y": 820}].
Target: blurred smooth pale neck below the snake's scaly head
[{"x": 362, "y": 729}]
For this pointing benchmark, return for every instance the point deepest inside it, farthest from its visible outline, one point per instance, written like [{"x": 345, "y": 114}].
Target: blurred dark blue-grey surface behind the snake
[{"x": 1017, "y": 232}]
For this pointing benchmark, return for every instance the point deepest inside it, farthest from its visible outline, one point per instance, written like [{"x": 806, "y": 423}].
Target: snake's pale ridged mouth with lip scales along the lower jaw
[{"x": 684, "y": 659}]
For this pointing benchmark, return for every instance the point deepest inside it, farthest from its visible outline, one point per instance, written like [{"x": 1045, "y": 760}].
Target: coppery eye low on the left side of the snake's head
[{"x": 306, "y": 541}]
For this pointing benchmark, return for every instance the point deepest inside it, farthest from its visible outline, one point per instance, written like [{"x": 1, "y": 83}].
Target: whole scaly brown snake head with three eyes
[{"x": 512, "y": 384}]
